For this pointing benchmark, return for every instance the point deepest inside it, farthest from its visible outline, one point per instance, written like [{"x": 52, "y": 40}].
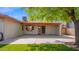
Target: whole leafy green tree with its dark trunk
[{"x": 49, "y": 14}]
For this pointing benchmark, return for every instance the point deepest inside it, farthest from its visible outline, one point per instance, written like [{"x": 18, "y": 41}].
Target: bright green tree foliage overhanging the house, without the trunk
[{"x": 49, "y": 14}]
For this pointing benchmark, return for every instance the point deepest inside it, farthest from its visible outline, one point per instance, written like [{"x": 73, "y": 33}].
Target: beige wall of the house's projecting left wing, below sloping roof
[{"x": 11, "y": 29}]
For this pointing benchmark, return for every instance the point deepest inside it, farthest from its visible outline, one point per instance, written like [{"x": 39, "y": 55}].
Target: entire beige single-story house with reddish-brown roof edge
[{"x": 11, "y": 28}]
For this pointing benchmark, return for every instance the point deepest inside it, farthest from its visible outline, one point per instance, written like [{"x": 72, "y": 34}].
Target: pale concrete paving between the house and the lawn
[{"x": 39, "y": 39}]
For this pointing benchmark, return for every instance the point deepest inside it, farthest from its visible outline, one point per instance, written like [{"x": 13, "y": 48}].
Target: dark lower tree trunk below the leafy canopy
[{"x": 76, "y": 24}]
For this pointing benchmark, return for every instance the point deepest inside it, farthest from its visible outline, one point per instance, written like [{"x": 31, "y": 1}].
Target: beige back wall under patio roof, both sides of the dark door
[{"x": 55, "y": 30}]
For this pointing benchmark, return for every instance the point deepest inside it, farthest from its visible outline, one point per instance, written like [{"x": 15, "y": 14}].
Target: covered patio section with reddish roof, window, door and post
[{"x": 41, "y": 28}]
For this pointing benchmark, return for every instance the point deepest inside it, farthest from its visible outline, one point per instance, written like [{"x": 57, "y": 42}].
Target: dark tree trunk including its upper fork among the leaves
[{"x": 71, "y": 14}]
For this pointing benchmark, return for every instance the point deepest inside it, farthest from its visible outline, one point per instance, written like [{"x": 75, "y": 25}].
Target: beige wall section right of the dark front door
[{"x": 52, "y": 30}]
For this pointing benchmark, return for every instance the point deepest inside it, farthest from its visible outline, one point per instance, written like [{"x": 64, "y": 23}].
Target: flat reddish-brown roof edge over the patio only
[{"x": 40, "y": 24}]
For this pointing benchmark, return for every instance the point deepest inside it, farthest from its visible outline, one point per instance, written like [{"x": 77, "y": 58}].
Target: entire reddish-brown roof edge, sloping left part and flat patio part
[{"x": 6, "y": 17}]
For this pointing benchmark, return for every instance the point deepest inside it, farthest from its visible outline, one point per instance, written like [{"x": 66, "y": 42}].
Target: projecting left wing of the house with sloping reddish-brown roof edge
[{"x": 9, "y": 26}]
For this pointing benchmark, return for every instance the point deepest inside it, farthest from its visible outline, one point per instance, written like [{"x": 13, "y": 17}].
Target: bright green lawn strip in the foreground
[{"x": 35, "y": 47}]
